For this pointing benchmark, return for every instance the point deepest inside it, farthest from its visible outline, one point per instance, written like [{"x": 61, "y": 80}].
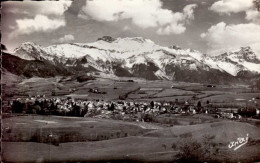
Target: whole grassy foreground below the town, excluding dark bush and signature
[{"x": 144, "y": 142}]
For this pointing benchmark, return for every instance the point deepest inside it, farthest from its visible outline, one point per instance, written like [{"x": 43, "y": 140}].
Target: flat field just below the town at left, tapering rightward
[{"x": 38, "y": 128}]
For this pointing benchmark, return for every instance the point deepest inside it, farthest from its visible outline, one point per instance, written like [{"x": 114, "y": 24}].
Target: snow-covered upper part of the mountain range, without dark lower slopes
[{"x": 129, "y": 52}]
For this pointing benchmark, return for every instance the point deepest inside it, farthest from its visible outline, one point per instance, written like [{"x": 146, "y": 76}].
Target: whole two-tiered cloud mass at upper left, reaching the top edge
[{"x": 40, "y": 16}]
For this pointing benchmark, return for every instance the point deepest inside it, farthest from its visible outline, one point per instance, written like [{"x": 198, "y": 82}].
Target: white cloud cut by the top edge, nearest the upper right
[{"x": 231, "y": 6}]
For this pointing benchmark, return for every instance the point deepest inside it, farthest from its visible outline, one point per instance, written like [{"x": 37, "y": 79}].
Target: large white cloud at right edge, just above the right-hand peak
[{"x": 222, "y": 37}]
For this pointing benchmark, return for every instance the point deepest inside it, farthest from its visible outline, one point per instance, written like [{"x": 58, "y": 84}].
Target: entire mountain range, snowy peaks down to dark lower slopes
[{"x": 132, "y": 57}]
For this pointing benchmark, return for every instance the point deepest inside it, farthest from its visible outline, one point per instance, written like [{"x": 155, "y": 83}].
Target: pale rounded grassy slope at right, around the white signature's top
[{"x": 223, "y": 132}]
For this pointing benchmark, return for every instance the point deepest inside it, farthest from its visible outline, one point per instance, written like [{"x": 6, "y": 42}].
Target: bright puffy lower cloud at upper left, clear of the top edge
[{"x": 40, "y": 23}]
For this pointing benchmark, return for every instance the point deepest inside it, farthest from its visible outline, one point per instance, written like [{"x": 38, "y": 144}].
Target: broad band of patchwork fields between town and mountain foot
[{"x": 141, "y": 90}]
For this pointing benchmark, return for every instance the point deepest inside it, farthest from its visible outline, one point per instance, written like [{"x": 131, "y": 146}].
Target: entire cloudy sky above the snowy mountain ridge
[{"x": 210, "y": 26}]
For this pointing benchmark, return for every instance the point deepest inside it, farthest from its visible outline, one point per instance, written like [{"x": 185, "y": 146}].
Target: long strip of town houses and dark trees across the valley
[{"x": 124, "y": 110}]
